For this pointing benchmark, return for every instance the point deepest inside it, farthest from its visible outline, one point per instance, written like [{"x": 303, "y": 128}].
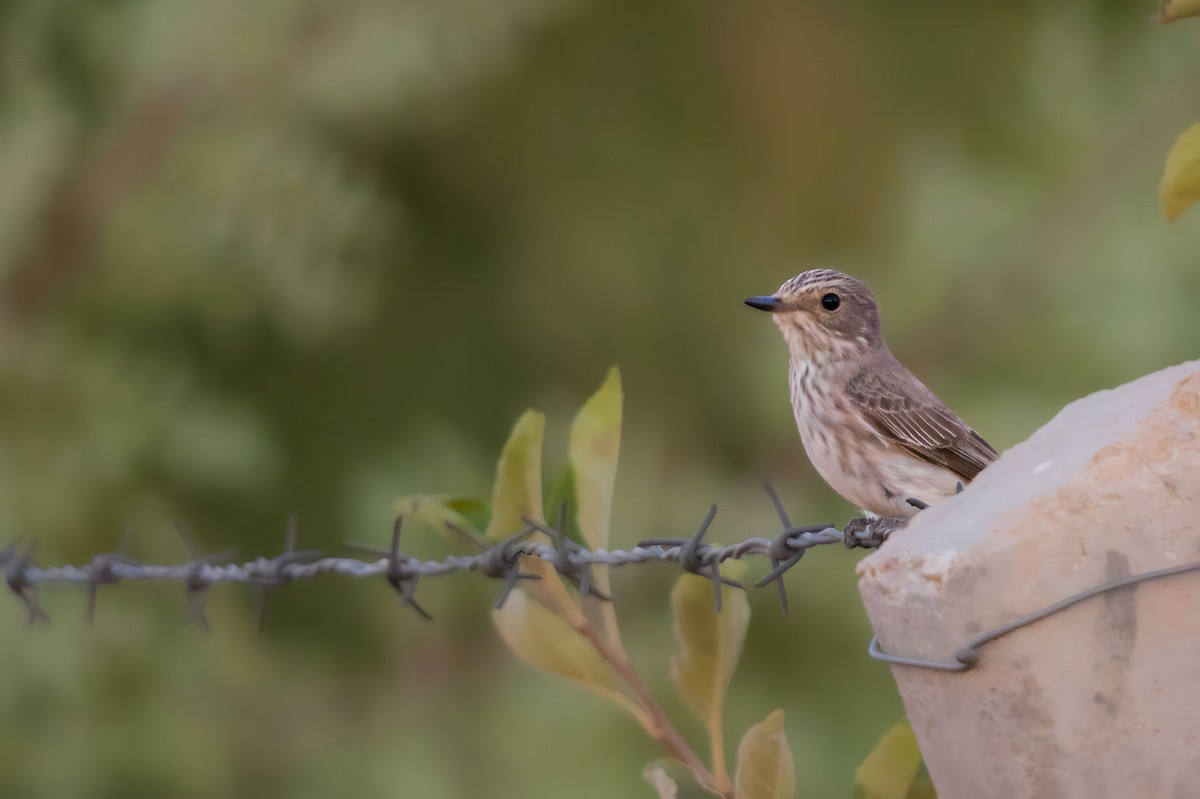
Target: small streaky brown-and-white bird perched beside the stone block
[{"x": 873, "y": 431}]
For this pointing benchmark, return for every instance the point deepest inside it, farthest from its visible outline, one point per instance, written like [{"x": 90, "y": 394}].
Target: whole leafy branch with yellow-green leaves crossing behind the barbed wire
[{"x": 573, "y": 633}]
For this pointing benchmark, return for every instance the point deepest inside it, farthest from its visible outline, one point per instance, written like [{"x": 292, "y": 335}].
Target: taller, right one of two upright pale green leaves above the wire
[{"x": 595, "y": 449}]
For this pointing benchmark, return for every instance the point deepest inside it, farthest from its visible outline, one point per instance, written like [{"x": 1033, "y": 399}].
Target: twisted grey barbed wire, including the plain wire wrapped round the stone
[{"x": 502, "y": 561}]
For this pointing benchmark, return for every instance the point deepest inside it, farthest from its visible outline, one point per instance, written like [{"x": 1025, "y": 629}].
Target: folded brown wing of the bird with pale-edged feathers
[{"x": 909, "y": 414}]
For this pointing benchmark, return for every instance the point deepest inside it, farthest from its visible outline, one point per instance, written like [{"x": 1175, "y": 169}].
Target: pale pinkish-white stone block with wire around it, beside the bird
[{"x": 1101, "y": 700}]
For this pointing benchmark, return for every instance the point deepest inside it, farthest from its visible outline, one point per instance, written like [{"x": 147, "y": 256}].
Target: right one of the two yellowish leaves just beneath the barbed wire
[{"x": 710, "y": 647}]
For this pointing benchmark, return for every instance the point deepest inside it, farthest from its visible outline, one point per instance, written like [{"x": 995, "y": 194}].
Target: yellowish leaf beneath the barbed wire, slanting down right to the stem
[{"x": 544, "y": 640}]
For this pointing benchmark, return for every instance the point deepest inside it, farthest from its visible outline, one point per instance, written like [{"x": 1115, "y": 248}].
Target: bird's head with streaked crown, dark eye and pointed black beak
[{"x": 823, "y": 310}]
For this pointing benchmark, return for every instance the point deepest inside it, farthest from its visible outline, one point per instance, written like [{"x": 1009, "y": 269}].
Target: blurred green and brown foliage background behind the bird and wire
[{"x": 301, "y": 256}]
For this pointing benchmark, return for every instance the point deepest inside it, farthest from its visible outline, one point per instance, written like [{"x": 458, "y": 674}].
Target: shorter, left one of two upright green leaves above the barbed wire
[{"x": 518, "y": 490}]
